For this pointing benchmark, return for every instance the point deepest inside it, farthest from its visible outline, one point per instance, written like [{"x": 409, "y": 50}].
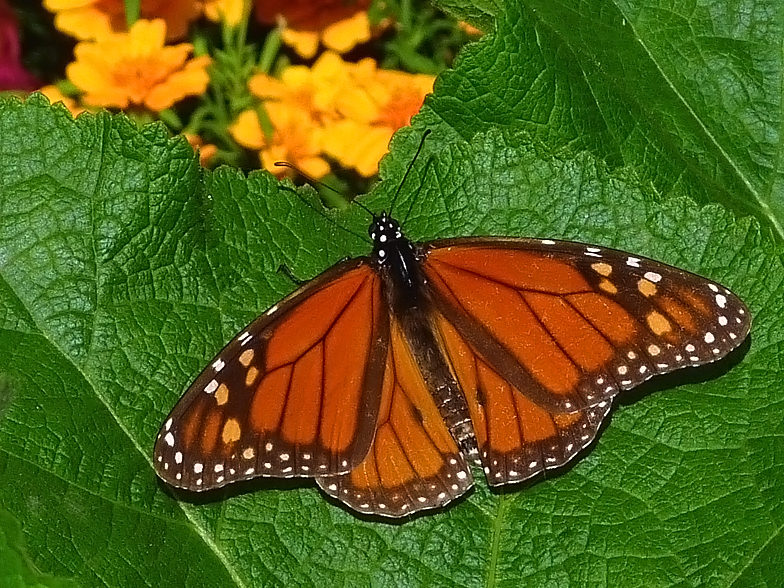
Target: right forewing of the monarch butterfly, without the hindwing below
[{"x": 571, "y": 325}]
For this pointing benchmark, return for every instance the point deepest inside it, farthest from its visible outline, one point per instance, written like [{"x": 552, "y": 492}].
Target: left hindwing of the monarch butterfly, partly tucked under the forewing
[{"x": 413, "y": 463}]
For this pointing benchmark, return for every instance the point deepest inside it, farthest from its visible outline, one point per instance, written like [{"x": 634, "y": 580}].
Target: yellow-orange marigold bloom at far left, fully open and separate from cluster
[{"x": 136, "y": 69}]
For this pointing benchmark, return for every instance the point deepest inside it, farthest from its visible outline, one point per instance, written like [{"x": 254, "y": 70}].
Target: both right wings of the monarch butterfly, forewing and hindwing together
[{"x": 568, "y": 327}]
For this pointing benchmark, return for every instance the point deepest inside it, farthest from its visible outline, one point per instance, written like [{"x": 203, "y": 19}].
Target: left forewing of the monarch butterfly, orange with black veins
[{"x": 274, "y": 401}]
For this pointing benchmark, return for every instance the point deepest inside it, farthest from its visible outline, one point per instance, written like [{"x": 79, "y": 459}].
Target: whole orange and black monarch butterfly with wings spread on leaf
[{"x": 386, "y": 375}]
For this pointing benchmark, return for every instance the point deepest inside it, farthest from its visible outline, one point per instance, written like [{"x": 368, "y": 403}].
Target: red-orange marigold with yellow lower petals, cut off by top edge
[{"x": 340, "y": 25}]
